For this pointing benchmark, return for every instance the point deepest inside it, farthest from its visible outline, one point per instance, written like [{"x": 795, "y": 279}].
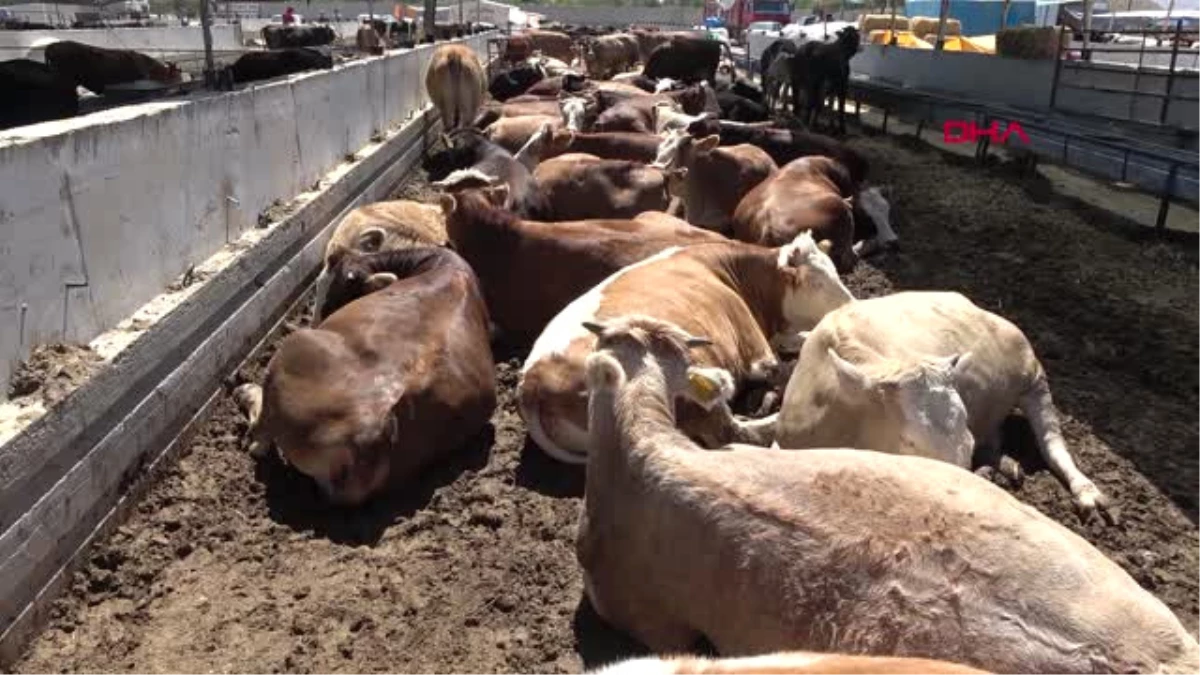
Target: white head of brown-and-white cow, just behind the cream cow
[{"x": 812, "y": 286}]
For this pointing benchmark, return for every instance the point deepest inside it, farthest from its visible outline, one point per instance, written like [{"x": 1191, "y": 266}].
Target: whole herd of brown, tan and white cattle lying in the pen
[{"x": 667, "y": 266}]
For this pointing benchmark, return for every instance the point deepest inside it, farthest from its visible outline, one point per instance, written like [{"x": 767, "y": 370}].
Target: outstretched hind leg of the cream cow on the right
[{"x": 1039, "y": 408}]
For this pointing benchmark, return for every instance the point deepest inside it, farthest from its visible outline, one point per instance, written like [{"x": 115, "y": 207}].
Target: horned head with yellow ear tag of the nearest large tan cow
[{"x": 635, "y": 342}]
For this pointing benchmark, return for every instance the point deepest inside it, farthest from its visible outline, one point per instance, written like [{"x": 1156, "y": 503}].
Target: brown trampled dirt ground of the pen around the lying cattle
[{"x": 231, "y": 568}]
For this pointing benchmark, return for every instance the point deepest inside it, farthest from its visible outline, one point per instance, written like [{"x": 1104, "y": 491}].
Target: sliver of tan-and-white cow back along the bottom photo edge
[{"x": 785, "y": 664}]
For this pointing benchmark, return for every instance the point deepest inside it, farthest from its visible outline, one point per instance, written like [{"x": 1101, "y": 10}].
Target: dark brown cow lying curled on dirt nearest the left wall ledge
[{"x": 388, "y": 384}]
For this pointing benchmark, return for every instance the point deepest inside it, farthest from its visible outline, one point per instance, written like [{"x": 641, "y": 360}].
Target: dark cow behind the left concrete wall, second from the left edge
[{"x": 97, "y": 68}]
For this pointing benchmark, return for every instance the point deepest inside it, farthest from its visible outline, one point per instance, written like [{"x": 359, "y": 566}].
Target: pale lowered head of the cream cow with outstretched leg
[{"x": 921, "y": 405}]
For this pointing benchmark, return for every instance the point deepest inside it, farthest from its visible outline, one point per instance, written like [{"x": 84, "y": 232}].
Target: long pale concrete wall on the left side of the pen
[{"x": 100, "y": 213}]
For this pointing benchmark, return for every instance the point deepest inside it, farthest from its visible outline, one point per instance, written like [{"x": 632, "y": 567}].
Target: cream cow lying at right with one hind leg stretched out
[{"x": 925, "y": 374}]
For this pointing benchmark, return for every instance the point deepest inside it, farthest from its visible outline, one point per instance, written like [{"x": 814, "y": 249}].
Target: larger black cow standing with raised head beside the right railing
[{"x": 823, "y": 69}]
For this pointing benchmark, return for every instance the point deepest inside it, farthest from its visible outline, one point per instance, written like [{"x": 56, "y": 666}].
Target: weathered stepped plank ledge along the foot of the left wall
[{"x": 39, "y": 552}]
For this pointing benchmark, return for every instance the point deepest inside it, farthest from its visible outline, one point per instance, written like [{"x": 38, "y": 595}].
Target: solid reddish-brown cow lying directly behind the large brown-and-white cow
[{"x": 531, "y": 271}]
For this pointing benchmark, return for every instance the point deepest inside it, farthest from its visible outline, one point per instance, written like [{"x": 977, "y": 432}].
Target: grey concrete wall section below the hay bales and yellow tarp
[{"x": 983, "y": 77}]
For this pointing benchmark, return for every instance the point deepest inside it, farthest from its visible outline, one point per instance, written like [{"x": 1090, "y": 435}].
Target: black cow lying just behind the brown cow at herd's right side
[{"x": 784, "y": 145}]
